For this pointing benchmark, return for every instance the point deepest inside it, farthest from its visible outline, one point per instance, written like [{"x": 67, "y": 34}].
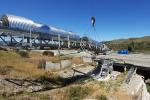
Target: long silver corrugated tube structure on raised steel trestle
[{"x": 33, "y": 34}]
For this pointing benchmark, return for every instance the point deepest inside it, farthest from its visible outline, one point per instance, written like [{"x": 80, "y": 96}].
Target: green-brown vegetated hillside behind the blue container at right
[{"x": 132, "y": 44}]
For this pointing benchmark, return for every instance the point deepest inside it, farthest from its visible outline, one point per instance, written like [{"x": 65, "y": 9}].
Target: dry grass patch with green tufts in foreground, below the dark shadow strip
[{"x": 91, "y": 89}]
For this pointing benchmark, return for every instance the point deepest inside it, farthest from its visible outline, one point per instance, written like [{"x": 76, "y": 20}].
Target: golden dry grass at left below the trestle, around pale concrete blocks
[{"x": 28, "y": 67}]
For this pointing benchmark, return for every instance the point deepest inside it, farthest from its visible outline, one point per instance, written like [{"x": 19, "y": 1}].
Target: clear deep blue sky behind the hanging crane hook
[{"x": 114, "y": 18}]
